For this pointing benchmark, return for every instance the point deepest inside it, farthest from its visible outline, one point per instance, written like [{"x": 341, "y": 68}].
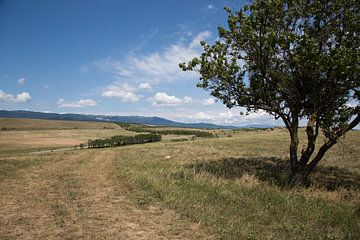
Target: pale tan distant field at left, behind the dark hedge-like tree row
[{"x": 29, "y": 135}]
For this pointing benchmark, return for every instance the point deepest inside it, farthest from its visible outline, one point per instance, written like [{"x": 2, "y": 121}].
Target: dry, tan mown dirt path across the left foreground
[{"x": 77, "y": 198}]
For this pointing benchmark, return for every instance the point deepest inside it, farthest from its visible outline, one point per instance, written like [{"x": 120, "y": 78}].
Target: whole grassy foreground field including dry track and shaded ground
[{"x": 230, "y": 187}]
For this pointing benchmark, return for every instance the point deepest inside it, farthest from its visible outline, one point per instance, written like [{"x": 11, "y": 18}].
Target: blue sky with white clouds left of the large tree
[{"x": 111, "y": 57}]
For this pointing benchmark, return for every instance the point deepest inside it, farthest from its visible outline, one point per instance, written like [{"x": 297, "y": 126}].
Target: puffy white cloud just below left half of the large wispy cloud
[{"x": 125, "y": 93}]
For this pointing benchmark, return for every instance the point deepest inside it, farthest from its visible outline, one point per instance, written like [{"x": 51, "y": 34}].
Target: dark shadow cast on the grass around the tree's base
[{"x": 276, "y": 171}]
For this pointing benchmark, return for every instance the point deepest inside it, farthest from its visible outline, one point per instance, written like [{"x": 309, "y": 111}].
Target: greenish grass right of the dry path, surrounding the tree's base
[{"x": 236, "y": 187}]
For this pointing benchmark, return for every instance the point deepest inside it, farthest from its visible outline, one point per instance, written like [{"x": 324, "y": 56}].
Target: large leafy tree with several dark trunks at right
[{"x": 297, "y": 60}]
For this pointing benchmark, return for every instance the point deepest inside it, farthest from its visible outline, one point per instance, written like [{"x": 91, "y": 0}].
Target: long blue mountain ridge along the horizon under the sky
[{"x": 104, "y": 118}]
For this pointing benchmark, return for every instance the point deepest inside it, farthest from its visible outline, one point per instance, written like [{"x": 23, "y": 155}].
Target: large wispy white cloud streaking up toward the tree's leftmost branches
[{"x": 155, "y": 67}]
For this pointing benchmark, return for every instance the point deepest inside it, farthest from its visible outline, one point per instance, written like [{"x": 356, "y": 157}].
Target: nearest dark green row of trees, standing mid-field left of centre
[{"x": 123, "y": 140}]
